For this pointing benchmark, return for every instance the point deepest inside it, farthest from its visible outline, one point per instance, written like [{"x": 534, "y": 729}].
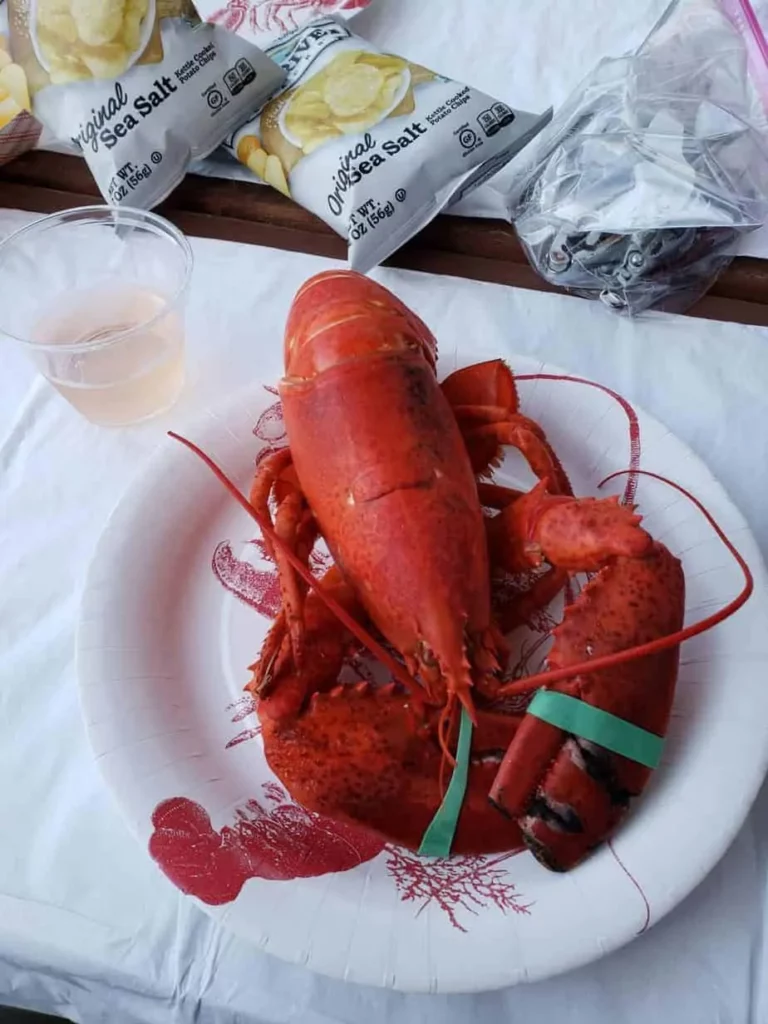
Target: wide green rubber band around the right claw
[{"x": 587, "y": 722}]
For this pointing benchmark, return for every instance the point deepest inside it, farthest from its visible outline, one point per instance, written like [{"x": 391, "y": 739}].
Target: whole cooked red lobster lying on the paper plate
[{"x": 390, "y": 467}]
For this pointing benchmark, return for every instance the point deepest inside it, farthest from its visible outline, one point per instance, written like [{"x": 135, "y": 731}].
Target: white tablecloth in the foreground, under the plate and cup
[{"x": 90, "y": 928}]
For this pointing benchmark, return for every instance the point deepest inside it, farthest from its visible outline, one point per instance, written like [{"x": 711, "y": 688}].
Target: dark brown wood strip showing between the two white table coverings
[{"x": 484, "y": 250}]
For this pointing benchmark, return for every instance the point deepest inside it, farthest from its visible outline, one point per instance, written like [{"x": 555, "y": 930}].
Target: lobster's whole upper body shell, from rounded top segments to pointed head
[{"x": 385, "y": 468}]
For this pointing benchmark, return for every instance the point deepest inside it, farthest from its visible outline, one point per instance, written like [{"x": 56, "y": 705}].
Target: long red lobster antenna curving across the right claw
[{"x": 662, "y": 644}]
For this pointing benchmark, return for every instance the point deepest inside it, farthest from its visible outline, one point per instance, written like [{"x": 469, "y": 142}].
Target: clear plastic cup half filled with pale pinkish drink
[{"x": 97, "y": 298}]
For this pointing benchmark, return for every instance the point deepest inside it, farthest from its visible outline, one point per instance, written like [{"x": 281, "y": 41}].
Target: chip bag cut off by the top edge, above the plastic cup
[{"x": 141, "y": 87}]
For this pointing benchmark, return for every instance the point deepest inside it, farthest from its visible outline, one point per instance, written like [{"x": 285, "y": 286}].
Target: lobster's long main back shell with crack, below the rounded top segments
[{"x": 406, "y": 476}]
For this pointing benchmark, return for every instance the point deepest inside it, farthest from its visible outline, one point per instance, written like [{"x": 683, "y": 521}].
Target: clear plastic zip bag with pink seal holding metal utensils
[{"x": 639, "y": 190}]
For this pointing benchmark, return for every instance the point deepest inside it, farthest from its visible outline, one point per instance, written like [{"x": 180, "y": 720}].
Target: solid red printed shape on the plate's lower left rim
[{"x": 281, "y": 843}]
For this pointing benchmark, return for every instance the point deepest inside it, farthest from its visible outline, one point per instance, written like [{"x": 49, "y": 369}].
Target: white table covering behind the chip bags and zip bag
[{"x": 532, "y": 54}]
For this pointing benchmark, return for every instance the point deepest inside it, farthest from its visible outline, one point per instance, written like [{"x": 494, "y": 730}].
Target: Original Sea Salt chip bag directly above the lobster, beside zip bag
[{"x": 374, "y": 145}]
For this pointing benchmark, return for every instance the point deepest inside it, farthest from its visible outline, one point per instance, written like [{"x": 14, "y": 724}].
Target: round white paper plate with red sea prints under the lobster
[{"x": 162, "y": 654}]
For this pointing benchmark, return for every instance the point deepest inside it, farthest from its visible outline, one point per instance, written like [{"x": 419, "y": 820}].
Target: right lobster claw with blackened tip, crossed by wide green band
[{"x": 568, "y": 794}]
